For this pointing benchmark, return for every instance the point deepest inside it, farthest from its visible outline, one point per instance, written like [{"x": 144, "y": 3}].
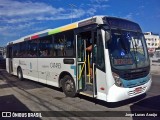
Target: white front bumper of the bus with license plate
[{"x": 116, "y": 94}]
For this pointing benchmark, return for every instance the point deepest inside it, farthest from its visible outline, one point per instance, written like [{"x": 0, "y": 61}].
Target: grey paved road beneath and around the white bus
[{"x": 30, "y": 96}]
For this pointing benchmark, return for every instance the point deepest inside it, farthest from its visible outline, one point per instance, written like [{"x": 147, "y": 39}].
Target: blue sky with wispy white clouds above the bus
[{"x": 19, "y": 18}]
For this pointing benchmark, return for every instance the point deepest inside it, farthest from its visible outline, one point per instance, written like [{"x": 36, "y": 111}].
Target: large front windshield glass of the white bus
[{"x": 127, "y": 50}]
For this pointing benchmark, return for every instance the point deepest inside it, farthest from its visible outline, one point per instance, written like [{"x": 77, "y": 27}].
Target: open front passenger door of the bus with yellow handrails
[{"x": 85, "y": 61}]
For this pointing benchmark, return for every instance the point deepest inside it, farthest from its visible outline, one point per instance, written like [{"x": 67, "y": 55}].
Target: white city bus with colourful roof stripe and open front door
[{"x": 58, "y": 57}]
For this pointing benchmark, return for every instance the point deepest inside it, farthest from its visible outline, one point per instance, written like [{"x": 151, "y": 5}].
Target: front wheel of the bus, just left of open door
[{"x": 68, "y": 86}]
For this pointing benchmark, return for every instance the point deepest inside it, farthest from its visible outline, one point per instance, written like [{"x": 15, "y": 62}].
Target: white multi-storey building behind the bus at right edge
[{"x": 153, "y": 41}]
